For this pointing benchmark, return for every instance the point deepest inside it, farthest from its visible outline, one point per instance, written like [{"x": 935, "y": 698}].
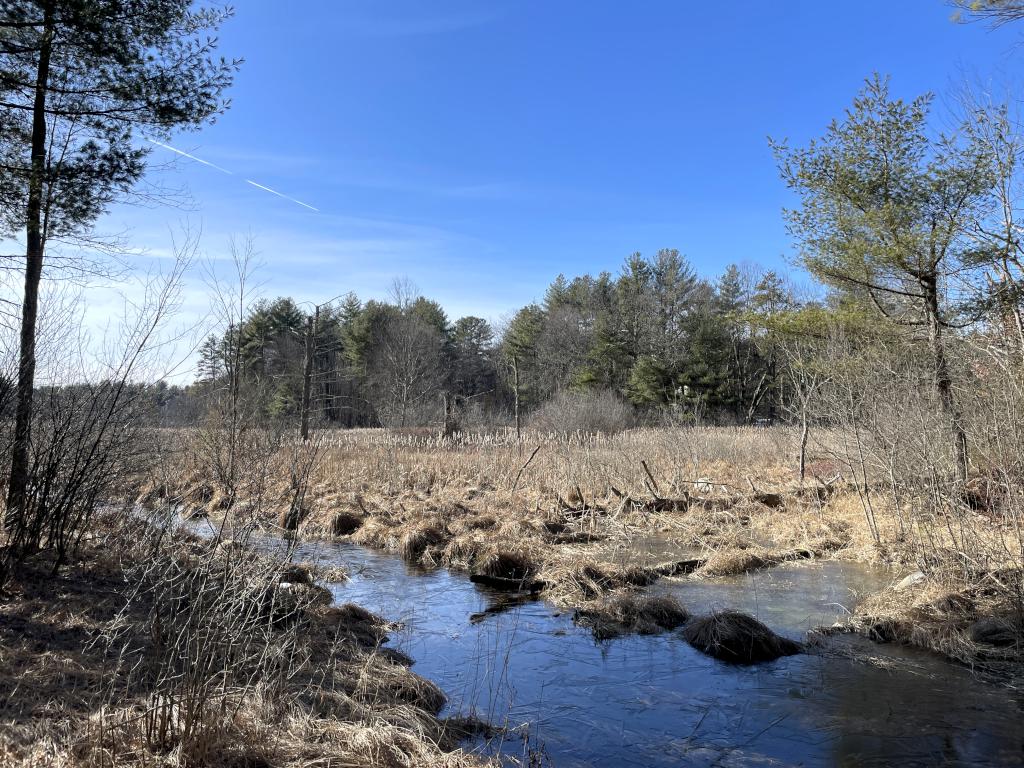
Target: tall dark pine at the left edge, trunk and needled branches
[{"x": 78, "y": 80}]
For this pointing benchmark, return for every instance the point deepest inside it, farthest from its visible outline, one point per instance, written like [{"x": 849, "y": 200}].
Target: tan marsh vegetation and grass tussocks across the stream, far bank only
[{"x": 572, "y": 519}]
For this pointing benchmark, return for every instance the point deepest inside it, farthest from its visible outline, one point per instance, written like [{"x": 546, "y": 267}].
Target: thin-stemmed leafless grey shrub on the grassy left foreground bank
[{"x": 221, "y": 626}]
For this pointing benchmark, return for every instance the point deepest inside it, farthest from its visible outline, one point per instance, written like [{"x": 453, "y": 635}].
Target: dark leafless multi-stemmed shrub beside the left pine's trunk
[{"x": 87, "y": 433}]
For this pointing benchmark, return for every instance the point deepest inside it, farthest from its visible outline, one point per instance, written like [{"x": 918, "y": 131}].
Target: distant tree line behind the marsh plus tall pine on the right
[{"x": 912, "y": 232}]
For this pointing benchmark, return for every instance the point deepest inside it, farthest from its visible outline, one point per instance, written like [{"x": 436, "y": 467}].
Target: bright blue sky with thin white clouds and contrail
[{"x": 482, "y": 148}]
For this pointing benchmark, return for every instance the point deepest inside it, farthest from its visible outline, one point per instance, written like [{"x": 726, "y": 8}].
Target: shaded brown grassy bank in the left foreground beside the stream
[{"x": 74, "y": 690}]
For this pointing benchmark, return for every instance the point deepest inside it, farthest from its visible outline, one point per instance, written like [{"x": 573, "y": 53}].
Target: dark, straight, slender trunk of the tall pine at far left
[{"x": 35, "y": 240}]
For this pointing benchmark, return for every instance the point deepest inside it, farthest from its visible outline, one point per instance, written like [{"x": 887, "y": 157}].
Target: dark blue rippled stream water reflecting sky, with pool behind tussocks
[{"x": 656, "y": 702}]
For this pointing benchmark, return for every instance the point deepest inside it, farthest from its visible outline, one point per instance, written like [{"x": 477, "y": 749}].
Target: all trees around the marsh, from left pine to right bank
[{"x": 913, "y": 229}]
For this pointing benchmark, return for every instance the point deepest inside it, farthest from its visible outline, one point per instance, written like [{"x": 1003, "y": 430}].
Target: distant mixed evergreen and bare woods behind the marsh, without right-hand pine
[{"x": 663, "y": 339}]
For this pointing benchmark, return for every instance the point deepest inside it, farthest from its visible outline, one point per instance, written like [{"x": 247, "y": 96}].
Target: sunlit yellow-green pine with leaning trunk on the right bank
[{"x": 887, "y": 212}]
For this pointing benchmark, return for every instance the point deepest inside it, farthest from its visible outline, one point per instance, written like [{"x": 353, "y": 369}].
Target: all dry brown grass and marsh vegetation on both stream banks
[{"x": 157, "y": 647}]
